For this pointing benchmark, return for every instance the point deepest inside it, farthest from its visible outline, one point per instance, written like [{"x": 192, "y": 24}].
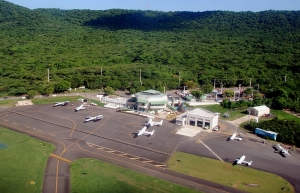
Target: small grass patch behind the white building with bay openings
[{"x": 234, "y": 114}]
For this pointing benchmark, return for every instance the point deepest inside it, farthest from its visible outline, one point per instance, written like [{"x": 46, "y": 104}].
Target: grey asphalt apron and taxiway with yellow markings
[{"x": 111, "y": 139}]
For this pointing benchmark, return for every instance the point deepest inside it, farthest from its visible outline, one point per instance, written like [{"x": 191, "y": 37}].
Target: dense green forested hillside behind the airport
[{"x": 109, "y": 48}]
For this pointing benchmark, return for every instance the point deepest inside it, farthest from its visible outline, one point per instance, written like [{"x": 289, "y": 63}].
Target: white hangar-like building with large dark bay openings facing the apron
[{"x": 198, "y": 118}]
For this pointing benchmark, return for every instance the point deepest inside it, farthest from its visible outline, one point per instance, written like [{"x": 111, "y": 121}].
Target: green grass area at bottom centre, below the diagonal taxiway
[{"x": 104, "y": 177}]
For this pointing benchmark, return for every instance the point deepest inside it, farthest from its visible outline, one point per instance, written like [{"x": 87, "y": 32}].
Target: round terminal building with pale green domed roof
[{"x": 151, "y": 100}]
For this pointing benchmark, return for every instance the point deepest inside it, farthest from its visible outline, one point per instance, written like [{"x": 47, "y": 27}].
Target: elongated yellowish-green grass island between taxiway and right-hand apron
[{"x": 227, "y": 174}]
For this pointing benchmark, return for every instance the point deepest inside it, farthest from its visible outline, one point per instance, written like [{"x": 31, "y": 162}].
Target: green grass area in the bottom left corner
[{"x": 23, "y": 159}]
